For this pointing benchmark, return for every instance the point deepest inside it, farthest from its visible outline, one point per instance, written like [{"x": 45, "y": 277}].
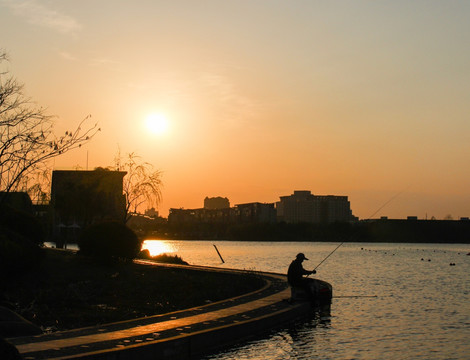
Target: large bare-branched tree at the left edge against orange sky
[{"x": 27, "y": 140}]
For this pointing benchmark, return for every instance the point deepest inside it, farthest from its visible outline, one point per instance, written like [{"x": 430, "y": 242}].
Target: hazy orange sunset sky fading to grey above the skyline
[{"x": 360, "y": 98}]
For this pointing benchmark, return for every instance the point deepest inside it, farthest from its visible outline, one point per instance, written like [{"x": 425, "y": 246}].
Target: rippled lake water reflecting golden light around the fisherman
[{"x": 421, "y": 309}]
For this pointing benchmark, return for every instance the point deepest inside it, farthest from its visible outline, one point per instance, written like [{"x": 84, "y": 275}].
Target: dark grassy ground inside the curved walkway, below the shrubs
[{"x": 68, "y": 291}]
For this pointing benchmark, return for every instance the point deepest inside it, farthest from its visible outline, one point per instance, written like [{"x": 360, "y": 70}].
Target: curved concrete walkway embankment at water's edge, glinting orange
[{"x": 178, "y": 335}]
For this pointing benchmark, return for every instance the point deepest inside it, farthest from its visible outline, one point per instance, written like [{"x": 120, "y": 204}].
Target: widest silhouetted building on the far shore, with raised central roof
[{"x": 303, "y": 206}]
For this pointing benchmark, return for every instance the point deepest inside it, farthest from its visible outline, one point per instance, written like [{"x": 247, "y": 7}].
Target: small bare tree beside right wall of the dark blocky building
[{"x": 142, "y": 184}]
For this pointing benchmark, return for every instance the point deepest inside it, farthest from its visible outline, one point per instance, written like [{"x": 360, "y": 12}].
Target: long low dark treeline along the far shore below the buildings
[{"x": 411, "y": 231}]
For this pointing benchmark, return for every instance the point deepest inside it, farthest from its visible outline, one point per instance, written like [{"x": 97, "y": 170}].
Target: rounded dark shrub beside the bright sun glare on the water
[{"x": 109, "y": 240}]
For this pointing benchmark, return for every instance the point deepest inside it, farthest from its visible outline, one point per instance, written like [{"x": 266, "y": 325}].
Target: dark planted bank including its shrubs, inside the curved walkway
[{"x": 57, "y": 290}]
